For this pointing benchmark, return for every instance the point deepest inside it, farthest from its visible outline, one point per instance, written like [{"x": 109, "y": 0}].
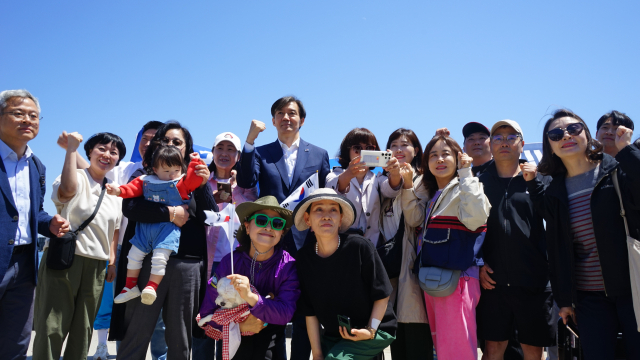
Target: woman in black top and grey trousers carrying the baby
[{"x": 179, "y": 293}]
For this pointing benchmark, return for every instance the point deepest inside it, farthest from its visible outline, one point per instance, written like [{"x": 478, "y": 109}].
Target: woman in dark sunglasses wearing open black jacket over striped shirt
[{"x": 586, "y": 238}]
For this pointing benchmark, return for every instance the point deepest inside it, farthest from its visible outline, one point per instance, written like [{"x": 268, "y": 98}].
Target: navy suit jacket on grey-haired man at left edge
[{"x": 38, "y": 218}]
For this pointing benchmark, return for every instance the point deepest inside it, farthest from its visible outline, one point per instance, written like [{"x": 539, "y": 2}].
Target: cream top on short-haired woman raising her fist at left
[{"x": 93, "y": 242}]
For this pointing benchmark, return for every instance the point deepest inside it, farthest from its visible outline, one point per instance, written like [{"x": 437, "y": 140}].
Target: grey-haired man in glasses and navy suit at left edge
[{"x": 22, "y": 188}]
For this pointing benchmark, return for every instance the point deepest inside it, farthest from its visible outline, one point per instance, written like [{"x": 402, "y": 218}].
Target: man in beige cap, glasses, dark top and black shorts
[{"x": 514, "y": 278}]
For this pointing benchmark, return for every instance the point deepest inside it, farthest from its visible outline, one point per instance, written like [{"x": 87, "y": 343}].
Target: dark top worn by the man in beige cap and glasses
[{"x": 514, "y": 246}]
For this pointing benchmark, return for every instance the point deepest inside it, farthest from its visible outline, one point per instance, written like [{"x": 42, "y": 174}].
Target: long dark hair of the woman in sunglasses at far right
[{"x": 551, "y": 164}]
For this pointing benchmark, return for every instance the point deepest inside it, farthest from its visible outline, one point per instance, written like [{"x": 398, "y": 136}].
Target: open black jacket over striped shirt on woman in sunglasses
[{"x": 608, "y": 226}]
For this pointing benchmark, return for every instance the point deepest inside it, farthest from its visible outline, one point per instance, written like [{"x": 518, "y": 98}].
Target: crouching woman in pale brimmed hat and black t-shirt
[{"x": 343, "y": 282}]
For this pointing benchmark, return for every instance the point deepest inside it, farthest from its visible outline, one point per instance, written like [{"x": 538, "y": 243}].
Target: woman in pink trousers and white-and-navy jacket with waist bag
[{"x": 453, "y": 232}]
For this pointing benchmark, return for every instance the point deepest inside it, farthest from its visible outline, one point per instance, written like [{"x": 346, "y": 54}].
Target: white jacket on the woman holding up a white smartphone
[{"x": 367, "y": 200}]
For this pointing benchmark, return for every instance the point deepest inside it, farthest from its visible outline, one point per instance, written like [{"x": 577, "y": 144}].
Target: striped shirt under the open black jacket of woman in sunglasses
[{"x": 587, "y": 262}]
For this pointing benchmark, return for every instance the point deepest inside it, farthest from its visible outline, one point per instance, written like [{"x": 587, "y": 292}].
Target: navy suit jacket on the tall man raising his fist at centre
[{"x": 265, "y": 166}]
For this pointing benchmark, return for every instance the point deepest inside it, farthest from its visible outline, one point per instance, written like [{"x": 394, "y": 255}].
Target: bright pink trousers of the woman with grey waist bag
[{"x": 453, "y": 321}]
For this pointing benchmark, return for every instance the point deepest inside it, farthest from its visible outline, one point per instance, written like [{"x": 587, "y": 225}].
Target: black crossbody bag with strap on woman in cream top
[{"x": 62, "y": 250}]
